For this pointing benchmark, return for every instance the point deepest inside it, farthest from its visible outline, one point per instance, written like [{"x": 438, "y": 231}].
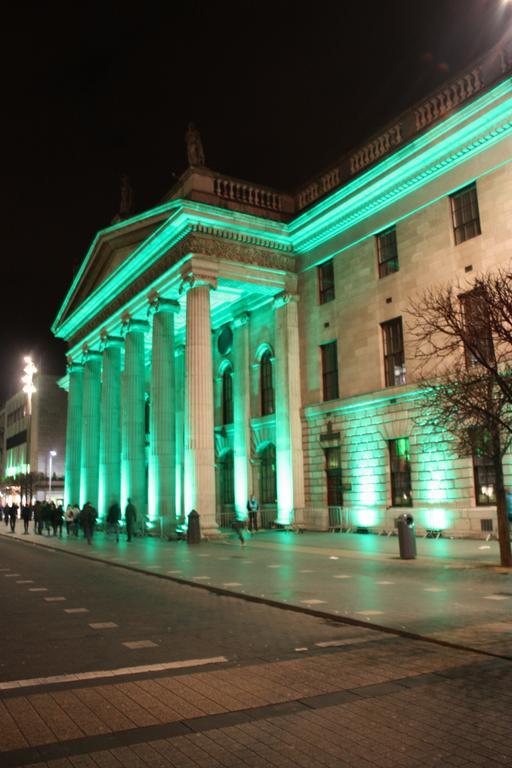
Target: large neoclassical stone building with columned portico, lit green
[{"x": 197, "y": 333}]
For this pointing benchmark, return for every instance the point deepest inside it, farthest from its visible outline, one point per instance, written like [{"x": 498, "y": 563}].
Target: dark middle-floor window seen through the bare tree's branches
[{"x": 478, "y": 343}]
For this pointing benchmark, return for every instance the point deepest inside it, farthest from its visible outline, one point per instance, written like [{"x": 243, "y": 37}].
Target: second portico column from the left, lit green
[{"x": 90, "y": 453}]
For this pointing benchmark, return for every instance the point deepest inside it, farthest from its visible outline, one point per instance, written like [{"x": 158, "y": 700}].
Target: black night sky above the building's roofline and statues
[{"x": 91, "y": 91}]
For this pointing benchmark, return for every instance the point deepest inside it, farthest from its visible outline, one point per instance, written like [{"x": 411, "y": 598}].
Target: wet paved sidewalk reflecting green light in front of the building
[{"x": 452, "y": 592}]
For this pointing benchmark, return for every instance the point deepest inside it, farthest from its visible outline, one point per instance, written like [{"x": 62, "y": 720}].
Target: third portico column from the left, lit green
[{"x": 110, "y": 438}]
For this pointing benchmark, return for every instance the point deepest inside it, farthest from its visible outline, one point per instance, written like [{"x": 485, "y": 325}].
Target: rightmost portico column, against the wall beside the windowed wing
[{"x": 289, "y": 454}]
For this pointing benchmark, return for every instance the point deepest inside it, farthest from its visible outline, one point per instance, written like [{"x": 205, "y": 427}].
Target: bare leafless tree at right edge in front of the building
[{"x": 463, "y": 353}]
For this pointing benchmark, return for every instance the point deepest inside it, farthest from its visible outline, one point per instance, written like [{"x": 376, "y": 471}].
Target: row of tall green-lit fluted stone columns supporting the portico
[{"x": 106, "y": 452}]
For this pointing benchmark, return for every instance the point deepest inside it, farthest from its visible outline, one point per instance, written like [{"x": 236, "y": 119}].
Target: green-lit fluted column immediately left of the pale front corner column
[{"x": 162, "y": 432}]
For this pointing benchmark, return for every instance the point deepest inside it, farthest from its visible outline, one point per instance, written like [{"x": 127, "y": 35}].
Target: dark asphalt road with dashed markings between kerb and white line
[{"x": 43, "y": 635}]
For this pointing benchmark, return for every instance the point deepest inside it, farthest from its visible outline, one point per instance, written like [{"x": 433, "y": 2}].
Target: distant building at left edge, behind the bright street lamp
[{"x": 33, "y": 437}]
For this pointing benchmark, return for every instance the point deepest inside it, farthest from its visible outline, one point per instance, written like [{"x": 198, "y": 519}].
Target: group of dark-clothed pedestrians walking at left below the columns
[{"x": 50, "y": 517}]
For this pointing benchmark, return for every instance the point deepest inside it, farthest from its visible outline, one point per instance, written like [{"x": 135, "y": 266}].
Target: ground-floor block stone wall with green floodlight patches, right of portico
[{"x": 443, "y": 493}]
